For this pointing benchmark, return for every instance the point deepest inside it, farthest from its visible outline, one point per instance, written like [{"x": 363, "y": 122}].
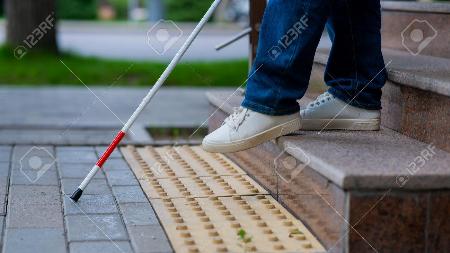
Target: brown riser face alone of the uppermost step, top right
[{"x": 398, "y": 23}]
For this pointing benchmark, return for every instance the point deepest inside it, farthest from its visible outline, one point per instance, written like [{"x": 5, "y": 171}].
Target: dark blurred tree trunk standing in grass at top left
[{"x": 31, "y": 24}]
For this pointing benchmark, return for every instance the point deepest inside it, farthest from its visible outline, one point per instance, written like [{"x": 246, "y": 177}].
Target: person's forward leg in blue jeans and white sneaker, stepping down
[{"x": 290, "y": 33}]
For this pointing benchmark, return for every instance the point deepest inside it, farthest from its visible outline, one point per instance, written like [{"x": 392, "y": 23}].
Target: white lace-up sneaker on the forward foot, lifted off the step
[{"x": 245, "y": 129}]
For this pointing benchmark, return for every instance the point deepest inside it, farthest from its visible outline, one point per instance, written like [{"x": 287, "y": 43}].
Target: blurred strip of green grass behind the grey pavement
[{"x": 43, "y": 68}]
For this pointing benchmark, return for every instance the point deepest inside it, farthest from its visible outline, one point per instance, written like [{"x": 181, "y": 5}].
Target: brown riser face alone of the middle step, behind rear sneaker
[{"x": 416, "y": 113}]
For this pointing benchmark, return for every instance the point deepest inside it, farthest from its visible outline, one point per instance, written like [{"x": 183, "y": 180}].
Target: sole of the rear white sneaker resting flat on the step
[{"x": 341, "y": 124}]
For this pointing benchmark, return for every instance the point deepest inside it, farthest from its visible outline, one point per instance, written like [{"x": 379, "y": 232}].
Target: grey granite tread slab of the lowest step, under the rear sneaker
[{"x": 388, "y": 157}]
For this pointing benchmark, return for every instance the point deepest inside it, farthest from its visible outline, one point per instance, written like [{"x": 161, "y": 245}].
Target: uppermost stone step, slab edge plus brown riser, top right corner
[{"x": 416, "y": 28}]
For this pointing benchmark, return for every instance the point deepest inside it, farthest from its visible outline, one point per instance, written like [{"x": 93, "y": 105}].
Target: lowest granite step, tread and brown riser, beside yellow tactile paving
[{"x": 355, "y": 190}]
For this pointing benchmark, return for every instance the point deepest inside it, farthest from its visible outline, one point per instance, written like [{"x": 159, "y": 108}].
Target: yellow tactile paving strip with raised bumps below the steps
[{"x": 203, "y": 212}]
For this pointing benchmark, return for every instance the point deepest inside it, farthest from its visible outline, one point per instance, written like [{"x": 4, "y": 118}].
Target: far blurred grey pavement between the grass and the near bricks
[{"x": 79, "y": 116}]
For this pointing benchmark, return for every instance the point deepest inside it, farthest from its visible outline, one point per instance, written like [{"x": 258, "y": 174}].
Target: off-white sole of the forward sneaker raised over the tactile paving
[{"x": 277, "y": 131}]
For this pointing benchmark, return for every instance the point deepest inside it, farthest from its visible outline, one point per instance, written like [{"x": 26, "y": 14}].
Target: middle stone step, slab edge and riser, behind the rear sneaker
[{"x": 416, "y": 98}]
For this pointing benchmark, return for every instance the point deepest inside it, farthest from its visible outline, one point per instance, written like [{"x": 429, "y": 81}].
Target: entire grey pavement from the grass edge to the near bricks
[{"x": 113, "y": 214}]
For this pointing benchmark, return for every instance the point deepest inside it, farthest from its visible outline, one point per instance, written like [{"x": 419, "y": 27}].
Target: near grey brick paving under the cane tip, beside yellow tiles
[{"x": 38, "y": 216}]
